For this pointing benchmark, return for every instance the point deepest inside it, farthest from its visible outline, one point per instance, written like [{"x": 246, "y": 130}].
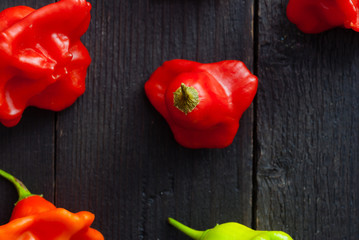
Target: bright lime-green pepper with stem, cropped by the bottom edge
[{"x": 229, "y": 231}]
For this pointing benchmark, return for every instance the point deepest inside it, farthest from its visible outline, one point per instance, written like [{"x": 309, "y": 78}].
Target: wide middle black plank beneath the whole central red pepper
[{"x": 116, "y": 155}]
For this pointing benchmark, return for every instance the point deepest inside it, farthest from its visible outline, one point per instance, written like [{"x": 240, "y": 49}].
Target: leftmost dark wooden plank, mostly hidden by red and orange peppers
[{"x": 27, "y": 150}]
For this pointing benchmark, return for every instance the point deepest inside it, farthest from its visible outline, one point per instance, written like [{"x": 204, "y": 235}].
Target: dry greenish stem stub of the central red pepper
[{"x": 185, "y": 98}]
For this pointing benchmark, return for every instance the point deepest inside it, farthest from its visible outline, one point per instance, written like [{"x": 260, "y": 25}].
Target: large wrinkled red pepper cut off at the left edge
[{"x": 42, "y": 60}]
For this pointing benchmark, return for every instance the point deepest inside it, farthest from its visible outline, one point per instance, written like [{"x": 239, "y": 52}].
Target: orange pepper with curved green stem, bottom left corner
[{"x": 35, "y": 218}]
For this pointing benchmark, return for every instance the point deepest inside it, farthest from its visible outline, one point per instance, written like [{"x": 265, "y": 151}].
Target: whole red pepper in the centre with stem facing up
[{"x": 202, "y": 103}]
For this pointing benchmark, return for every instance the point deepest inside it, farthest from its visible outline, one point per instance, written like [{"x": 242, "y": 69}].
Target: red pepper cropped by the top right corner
[{"x": 314, "y": 16}]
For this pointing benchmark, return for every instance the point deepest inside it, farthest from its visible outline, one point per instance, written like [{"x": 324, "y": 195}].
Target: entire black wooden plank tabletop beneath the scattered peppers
[{"x": 293, "y": 166}]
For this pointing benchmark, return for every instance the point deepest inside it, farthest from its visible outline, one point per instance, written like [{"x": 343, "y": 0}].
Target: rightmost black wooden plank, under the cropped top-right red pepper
[{"x": 307, "y": 129}]
